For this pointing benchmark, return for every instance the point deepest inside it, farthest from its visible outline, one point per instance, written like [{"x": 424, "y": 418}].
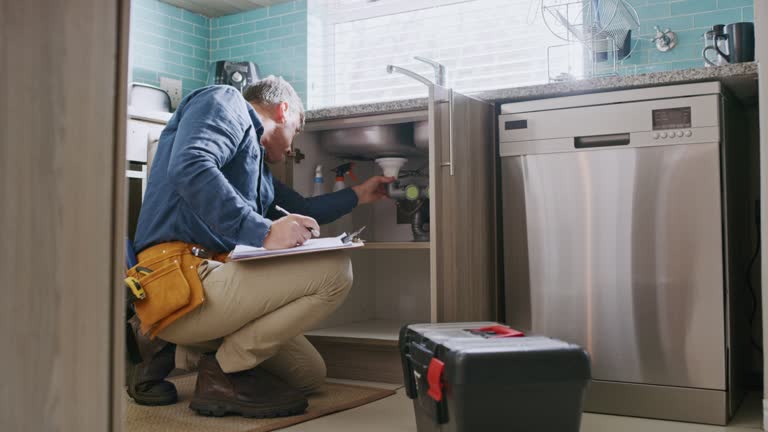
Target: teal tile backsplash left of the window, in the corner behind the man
[{"x": 166, "y": 41}]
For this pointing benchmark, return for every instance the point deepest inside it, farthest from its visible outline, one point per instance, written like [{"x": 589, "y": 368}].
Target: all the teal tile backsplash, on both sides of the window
[{"x": 173, "y": 42}]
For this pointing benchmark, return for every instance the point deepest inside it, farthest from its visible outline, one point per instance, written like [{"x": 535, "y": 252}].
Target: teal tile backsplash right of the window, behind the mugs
[{"x": 689, "y": 19}]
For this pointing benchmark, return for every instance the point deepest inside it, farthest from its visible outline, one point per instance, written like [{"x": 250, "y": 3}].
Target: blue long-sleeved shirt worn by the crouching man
[{"x": 209, "y": 183}]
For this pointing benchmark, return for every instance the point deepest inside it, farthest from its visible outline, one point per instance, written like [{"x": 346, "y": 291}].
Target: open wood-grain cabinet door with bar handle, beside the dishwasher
[{"x": 462, "y": 207}]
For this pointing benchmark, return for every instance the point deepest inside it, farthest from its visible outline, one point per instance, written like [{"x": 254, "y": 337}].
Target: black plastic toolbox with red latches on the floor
[{"x": 468, "y": 377}]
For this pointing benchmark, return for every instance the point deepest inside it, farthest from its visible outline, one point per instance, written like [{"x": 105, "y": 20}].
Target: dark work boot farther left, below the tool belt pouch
[{"x": 146, "y": 380}]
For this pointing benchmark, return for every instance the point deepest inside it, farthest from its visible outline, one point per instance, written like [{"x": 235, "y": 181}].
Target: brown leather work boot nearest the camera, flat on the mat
[{"x": 254, "y": 393}]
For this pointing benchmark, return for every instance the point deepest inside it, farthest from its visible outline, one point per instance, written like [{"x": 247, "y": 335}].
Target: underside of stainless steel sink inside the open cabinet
[{"x": 371, "y": 142}]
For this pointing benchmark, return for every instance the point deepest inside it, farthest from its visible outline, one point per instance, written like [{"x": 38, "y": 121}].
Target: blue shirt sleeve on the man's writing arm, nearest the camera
[{"x": 208, "y": 136}]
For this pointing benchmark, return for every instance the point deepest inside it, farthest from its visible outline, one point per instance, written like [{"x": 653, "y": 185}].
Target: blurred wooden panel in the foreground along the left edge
[{"x": 63, "y": 81}]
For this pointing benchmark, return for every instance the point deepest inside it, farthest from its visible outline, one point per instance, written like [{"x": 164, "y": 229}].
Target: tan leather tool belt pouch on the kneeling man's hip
[{"x": 167, "y": 273}]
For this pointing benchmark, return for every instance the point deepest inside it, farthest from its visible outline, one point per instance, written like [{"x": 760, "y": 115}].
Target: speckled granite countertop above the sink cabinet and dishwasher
[{"x": 740, "y": 78}]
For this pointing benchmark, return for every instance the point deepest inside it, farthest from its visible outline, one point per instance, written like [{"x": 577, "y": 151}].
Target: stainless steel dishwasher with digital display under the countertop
[{"x": 619, "y": 236}]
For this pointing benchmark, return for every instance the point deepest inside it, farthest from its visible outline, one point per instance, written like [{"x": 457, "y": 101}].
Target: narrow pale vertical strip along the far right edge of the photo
[{"x": 761, "y": 39}]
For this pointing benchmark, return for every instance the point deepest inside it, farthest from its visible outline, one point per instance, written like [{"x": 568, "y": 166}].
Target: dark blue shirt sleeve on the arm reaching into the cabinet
[{"x": 324, "y": 208}]
